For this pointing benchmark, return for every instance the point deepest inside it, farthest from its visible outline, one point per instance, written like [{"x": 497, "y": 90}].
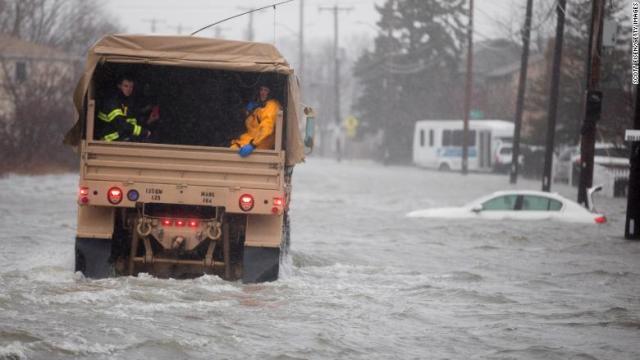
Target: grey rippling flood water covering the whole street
[{"x": 362, "y": 282}]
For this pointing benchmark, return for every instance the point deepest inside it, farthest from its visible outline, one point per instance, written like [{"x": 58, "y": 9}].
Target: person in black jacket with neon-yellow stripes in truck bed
[{"x": 117, "y": 119}]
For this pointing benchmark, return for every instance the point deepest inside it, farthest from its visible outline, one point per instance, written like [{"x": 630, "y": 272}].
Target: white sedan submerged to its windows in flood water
[{"x": 519, "y": 205}]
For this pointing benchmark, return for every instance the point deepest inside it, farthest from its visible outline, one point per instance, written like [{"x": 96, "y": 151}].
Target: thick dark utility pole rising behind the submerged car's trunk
[{"x": 593, "y": 101}]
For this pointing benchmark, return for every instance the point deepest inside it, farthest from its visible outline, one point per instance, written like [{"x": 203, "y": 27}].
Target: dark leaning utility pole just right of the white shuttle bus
[{"x": 522, "y": 83}]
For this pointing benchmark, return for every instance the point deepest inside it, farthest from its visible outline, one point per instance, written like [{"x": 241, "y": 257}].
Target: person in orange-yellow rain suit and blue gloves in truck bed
[{"x": 260, "y": 124}]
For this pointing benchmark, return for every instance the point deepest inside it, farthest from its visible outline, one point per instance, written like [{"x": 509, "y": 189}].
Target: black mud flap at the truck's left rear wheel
[{"x": 92, "y": 258}]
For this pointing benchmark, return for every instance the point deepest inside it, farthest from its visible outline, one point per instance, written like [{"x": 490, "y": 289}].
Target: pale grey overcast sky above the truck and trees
[{"x": 189, "y": 15}]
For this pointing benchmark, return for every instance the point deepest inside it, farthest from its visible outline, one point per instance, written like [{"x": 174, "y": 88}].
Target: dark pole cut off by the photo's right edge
[{"x": 632, "y": 224}]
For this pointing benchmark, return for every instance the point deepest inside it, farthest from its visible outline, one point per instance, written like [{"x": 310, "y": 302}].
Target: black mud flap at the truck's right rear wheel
[{"x": 260, "y": 264}]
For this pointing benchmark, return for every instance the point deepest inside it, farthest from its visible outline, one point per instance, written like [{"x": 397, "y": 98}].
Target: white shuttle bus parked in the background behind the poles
[{"x": 438, "y": 143}]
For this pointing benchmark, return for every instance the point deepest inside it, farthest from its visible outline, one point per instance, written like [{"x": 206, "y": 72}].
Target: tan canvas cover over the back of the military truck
[{"x": 194, "y": 52}]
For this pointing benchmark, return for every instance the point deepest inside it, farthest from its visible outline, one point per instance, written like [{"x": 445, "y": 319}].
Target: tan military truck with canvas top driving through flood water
[{"x": 182, "y": 203}]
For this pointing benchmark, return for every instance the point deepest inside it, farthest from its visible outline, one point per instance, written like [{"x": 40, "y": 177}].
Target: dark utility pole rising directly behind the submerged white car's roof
[{"x": 553, "y": 95}]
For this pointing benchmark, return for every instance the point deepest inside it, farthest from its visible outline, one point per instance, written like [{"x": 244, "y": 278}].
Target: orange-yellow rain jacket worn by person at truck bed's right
[{"x": 260, "y": 124}]
